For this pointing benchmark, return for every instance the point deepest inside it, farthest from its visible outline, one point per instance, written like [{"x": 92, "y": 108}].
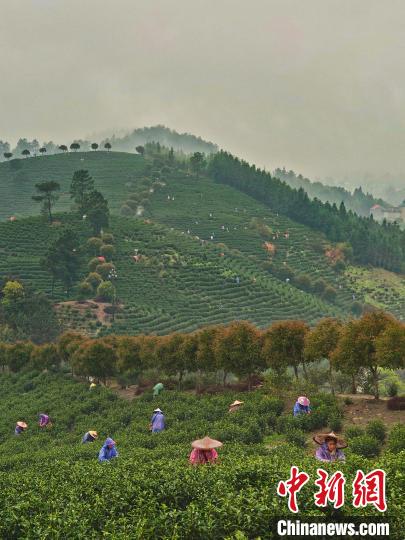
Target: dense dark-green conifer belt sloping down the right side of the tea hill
[{"x": 372, "y": 243}]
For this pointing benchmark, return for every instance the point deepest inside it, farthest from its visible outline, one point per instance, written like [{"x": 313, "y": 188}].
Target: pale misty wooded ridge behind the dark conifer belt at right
[{"x": 358, "y": 201}]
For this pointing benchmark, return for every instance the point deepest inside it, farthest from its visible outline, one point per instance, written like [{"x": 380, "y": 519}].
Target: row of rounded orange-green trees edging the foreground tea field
[{"x": 372, "y": 342}]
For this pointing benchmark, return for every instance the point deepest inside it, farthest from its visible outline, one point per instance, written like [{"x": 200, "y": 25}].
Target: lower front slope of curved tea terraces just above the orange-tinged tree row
[{"x": 178, "y": 284}]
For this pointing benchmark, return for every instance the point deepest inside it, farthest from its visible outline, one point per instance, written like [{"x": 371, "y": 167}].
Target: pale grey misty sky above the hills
[{"x": 315, "y": 85}]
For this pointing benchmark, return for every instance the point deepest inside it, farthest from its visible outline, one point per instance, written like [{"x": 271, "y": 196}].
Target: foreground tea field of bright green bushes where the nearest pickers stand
[{"x": 53, "y": 486}]
